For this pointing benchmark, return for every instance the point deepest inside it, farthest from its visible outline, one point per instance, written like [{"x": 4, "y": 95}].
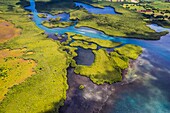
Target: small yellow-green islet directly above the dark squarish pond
[{"x": 83, "y": 44}]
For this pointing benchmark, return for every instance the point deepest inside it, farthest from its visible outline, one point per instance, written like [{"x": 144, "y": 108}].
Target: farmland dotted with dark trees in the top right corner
[{"x": 155, "y": 11}]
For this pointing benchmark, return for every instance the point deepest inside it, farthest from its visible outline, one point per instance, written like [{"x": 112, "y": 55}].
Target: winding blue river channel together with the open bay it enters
[{"x": 149, "y": 92}]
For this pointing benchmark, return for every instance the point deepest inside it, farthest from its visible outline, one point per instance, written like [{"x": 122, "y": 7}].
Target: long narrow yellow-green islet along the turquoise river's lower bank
[{"x": 100, "y": 42}]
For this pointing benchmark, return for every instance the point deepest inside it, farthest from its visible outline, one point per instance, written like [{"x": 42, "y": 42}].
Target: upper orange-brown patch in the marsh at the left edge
[{"x": 7, "y": 31}]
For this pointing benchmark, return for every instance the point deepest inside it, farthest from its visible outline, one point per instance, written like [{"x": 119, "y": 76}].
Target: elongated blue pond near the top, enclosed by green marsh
[{"x": 96, "y": 10}]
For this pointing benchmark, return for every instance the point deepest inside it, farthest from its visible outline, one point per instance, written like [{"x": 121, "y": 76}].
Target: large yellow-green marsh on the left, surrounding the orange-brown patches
[{"x": 46, "y": 89}]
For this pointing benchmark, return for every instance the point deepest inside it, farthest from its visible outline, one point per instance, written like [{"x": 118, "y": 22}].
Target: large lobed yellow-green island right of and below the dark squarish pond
[{"x": 107, "y": 67}]
